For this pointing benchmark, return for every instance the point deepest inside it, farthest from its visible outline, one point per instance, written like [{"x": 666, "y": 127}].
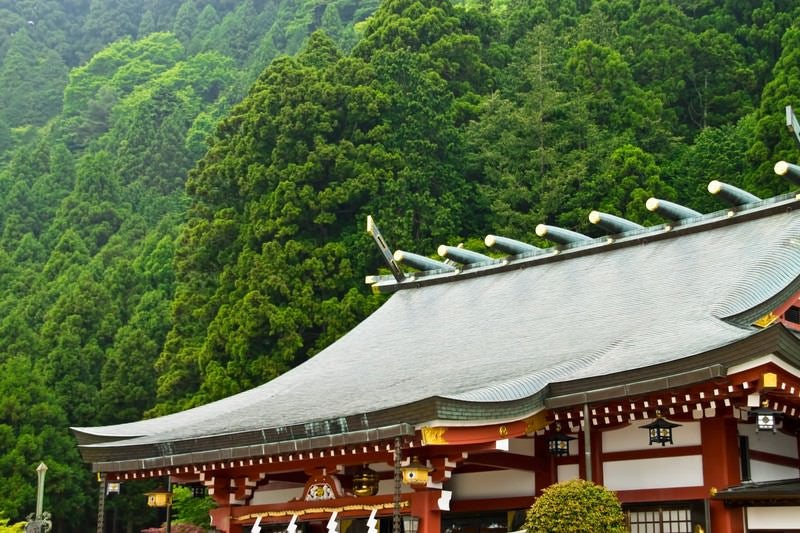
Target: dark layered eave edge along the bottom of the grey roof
[{"x": 127, "y": 454}]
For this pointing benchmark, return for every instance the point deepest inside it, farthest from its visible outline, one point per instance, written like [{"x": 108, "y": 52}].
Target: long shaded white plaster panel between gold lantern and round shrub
[{"x": 499, "y": 484}]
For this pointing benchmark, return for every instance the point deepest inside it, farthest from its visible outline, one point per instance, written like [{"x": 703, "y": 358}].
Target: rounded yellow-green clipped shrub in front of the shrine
[{"x": 576, "y": 506}]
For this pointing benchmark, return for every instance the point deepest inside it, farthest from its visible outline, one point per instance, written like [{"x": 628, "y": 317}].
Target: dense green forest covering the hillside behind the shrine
[{"x": 184, "y": 185}]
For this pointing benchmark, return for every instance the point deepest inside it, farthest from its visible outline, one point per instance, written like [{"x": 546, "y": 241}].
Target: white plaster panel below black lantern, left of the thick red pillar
[{"x": 657, "y": 473}]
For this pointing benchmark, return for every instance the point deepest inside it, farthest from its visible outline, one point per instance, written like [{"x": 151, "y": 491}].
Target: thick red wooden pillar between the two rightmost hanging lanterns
[{"x": 720, "y": 444}]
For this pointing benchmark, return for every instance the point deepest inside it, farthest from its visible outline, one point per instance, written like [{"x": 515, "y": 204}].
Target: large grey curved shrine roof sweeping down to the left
[{"x": 487, "y": 344}]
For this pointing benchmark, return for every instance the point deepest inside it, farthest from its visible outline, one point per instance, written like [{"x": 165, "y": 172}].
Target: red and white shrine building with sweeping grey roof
[{"x": 661, "y": 362}]
